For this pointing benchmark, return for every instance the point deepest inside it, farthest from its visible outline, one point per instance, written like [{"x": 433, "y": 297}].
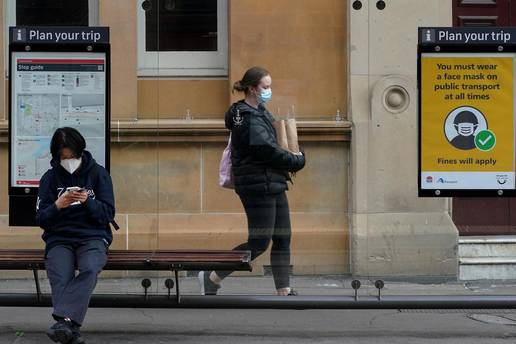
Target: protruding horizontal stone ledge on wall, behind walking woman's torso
[{"x": 176, "y": 130}]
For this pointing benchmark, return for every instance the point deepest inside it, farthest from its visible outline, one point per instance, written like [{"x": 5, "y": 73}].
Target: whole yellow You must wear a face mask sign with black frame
[{"x": 466, "y": 113}]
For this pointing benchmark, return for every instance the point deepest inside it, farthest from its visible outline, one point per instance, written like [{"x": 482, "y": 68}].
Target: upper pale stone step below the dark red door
[{"x": 487, "y": 246}]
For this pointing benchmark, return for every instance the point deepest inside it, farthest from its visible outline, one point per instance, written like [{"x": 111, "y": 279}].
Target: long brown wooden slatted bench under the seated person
[{"x": 169, "y": 260}]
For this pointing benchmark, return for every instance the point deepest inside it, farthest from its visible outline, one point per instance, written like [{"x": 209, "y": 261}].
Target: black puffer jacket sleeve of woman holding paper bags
[{"x": 264, "y": 148}]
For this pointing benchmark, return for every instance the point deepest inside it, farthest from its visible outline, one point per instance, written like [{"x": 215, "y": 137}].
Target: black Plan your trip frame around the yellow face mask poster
[{"x": 439, "y": 42}]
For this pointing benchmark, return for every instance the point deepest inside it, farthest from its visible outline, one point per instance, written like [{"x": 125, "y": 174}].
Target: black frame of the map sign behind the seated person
[{"x": 22, "y": 199}]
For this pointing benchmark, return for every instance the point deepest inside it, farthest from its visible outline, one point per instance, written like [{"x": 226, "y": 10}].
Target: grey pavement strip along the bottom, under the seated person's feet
[{"x": 27, "y": 325}]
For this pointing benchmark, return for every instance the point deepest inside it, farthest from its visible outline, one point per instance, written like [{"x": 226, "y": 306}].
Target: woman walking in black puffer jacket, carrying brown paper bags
[{"x": 261, "y": 170}]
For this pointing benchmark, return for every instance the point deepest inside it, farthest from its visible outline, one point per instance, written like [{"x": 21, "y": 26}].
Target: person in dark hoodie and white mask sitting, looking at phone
[{"x": 75, "y": 206}]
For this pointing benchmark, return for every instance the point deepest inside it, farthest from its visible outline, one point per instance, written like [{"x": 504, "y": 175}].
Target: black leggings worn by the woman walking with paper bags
[{"x": 268, "y": 218}]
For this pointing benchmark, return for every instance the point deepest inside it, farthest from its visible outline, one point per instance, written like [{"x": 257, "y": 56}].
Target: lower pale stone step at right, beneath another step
[{"x": 487, "y": 268}]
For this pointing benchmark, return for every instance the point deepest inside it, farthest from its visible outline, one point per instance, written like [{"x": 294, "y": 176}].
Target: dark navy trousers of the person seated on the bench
[{"x": 71, "y": 294}]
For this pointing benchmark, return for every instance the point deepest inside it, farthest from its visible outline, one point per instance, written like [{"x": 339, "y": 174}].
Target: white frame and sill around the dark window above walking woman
[{"x": 184, "y": 63}]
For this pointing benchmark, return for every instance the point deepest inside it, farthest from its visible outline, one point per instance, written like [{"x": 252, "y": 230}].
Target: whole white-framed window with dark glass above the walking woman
[{"x": 182, "y": 37}]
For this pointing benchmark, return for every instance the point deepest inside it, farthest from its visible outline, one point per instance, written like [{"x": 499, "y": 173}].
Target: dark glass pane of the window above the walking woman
[{"x": 181, "y": 25}]
